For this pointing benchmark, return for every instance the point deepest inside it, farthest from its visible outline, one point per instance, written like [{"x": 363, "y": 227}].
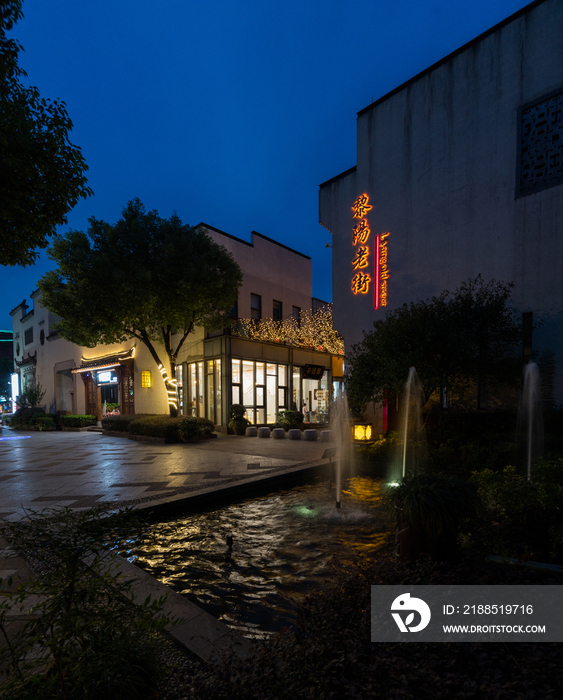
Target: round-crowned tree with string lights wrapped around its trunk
[{"x": 145, "y": 277}]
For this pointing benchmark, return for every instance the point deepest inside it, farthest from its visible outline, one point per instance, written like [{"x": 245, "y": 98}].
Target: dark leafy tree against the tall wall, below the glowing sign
[{"x": 455, "y": 341}]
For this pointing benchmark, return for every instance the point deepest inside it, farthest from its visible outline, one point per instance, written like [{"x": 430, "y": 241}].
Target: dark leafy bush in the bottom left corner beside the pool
[{"x": 85, "y": 640}]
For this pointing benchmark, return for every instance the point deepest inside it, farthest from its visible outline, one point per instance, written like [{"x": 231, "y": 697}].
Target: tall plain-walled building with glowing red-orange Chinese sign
[{"x": 459, "y": 173}]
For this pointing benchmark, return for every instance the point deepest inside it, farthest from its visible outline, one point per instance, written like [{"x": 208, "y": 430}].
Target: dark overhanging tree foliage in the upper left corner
[{"x": 42, "y": 173}]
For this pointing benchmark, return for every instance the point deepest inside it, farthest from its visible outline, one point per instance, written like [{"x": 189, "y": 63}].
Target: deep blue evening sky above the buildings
[{"x": 231, "y": 113}]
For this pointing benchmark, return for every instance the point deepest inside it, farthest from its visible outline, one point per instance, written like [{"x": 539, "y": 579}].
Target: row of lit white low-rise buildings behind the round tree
[{"x": 213, "y": 371}]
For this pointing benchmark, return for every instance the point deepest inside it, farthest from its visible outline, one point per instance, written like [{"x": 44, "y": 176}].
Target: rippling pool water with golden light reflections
[{"x": 283, "y": 545}]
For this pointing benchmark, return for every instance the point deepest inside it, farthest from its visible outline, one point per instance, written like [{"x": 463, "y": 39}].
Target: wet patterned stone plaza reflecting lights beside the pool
[{"x": 81, "y": 469}]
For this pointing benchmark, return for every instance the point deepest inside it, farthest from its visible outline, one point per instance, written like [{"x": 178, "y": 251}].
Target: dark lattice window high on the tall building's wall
[{"x": 540, "y": 145}]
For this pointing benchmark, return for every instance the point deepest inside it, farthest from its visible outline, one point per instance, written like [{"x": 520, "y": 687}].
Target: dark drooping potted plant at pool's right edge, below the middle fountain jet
[{"x": 428, "y": 509}]
